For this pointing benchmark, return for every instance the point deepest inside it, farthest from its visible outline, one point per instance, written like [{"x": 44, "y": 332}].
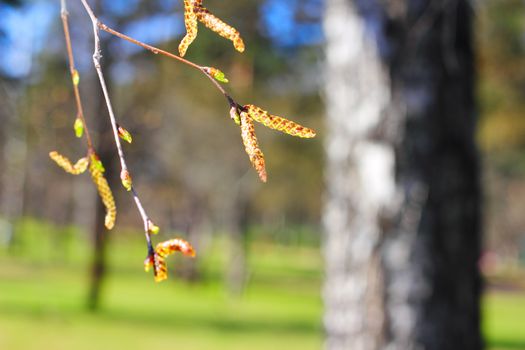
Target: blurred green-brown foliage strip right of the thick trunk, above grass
[{"x": 499, "y": 32}]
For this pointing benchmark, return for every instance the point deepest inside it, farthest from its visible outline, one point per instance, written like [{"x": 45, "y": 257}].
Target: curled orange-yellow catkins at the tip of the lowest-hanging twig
[{"x": 162, "y": 250}]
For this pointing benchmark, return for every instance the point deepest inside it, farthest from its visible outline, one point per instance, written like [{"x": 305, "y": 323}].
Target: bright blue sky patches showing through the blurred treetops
[{"x": 27, "y": 28}]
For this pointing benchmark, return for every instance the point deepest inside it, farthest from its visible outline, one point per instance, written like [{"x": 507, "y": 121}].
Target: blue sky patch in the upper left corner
[{"x": 26, "y": 30}]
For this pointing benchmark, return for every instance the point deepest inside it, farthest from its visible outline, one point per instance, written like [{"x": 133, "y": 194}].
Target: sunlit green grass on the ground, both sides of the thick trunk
[{"x": 43, "y": 291}]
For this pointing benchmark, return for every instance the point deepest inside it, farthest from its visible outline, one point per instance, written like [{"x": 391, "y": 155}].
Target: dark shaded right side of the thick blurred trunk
[{"x": 435, "y": 69}]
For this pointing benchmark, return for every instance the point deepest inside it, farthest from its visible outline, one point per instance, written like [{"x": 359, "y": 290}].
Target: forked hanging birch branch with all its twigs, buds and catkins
[{"x": 243, "y": 116}]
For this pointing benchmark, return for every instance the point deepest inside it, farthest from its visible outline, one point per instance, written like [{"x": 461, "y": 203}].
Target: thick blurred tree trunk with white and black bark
[{"x": 402, "y": 216}]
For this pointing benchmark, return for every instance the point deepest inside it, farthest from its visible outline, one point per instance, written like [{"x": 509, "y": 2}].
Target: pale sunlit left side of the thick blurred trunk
[{"x": 359, "y": 181}]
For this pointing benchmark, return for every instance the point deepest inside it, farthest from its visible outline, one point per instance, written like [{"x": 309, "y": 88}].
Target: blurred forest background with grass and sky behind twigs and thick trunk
[{"x": 256, "y": 282}]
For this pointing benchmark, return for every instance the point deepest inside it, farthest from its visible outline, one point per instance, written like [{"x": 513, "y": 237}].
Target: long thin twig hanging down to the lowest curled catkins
[{"x": 96, "y": 61}]
